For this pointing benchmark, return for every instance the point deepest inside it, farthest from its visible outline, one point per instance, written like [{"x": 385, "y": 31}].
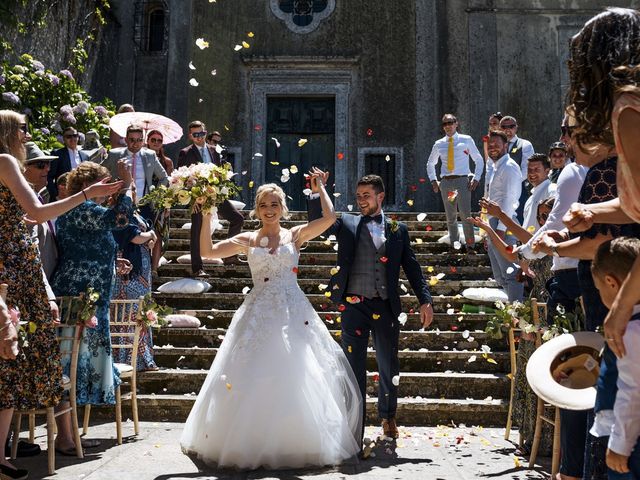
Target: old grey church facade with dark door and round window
[{"x": 351, "y": 86}]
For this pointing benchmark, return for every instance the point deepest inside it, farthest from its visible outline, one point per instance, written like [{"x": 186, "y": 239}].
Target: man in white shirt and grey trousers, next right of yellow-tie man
[{"x": 505, "y": 185}]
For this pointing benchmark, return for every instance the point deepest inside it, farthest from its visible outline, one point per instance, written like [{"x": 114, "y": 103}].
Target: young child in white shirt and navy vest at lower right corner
[{"x": 618, "y": 397}]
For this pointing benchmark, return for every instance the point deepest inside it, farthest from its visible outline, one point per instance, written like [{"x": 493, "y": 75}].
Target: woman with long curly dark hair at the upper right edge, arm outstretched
[{"x": 605, "y": 58}]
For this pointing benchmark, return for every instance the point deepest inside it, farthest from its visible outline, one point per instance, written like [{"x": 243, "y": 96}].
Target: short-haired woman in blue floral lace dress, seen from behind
[{"x": 87, "y": 259}]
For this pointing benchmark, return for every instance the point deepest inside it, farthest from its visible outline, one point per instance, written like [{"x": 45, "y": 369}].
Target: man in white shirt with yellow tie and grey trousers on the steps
[{"x": 456, "y": 180}]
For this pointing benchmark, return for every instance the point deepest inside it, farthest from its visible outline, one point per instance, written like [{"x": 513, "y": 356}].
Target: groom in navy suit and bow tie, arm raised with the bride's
[{"x": 371, "y": 250}]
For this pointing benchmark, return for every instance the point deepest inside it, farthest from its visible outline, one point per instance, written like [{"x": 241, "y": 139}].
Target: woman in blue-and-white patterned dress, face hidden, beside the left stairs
[{"x": 135, "y": 243}]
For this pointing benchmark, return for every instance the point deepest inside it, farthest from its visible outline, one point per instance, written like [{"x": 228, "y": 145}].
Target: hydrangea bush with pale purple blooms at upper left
[{"x": 52, "y": 102}]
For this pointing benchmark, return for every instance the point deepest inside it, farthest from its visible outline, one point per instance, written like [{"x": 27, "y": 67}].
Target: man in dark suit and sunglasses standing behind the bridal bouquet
[{"x": 200, "y": 152}]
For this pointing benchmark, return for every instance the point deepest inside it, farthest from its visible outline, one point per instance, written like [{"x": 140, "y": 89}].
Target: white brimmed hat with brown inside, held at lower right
[{"x": 577, "y": 356}]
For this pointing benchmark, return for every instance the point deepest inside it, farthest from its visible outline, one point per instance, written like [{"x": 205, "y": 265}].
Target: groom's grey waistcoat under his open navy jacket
[{"x": 368, "y": 276}]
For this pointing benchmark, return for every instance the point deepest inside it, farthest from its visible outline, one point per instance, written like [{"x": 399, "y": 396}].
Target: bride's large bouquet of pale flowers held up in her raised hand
[{"x": 202, "y": 186}]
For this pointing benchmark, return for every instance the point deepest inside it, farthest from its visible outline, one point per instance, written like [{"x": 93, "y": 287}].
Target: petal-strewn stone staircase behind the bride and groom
[{"x": 445, "y": 375}]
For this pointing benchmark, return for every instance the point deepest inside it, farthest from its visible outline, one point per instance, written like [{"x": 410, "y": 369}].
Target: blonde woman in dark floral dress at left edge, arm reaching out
[{"x": 32, "y": 378}]
